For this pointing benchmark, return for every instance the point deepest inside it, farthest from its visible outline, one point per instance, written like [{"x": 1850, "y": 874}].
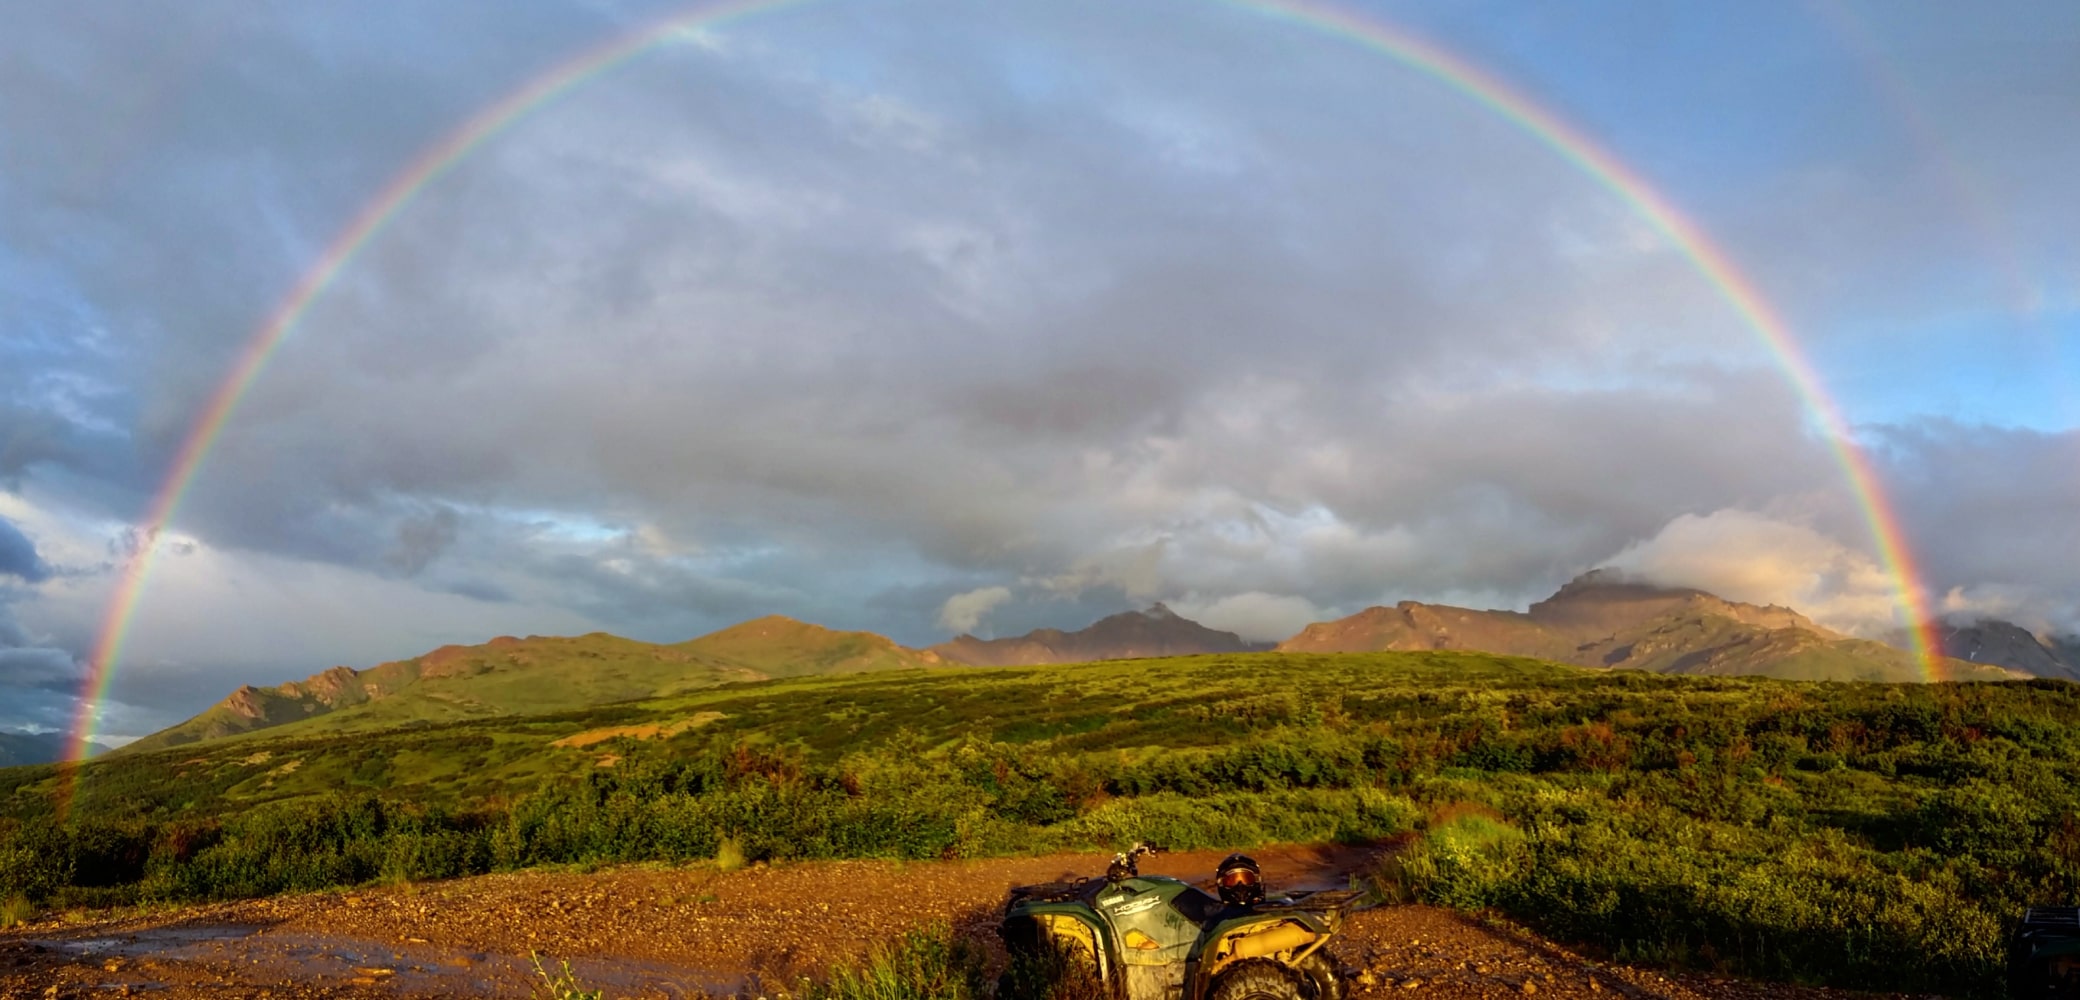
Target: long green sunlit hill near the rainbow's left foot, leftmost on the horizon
[{"x": 534, "y": 677}]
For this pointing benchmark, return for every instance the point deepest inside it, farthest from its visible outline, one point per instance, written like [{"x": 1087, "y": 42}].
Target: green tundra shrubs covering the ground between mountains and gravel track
[{"x": 1850, "y": 835}]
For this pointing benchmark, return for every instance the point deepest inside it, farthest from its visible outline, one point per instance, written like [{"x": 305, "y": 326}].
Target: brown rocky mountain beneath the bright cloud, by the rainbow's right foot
[{"x": 1603, "y": 621}]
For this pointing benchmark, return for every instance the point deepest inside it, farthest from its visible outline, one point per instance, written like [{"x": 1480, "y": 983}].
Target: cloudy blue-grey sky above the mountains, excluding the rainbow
[{"x": 935, "y": 317}]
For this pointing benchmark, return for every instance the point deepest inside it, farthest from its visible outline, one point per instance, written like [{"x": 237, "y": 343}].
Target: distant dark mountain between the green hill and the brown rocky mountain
[{"x": 1128, "y": 635}]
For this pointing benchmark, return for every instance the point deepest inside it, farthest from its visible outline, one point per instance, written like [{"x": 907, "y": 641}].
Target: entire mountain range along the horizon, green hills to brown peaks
[{"x": 1596, "y": 621}]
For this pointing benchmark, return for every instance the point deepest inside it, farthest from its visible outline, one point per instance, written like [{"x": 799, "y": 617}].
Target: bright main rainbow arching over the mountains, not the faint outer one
[{"x": 1409, "y": 51}]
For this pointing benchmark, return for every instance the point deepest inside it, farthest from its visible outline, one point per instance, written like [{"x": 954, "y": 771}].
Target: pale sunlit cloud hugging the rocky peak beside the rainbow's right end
[{"x": 1754, "y": 558}]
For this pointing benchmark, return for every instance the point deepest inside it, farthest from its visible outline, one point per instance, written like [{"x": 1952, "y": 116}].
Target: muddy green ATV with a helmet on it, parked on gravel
[{"x": 1162, "y": 939}]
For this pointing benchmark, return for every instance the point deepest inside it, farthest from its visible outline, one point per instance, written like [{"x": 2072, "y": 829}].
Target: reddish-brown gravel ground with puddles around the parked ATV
[{"x": 702, "y": 932}]
